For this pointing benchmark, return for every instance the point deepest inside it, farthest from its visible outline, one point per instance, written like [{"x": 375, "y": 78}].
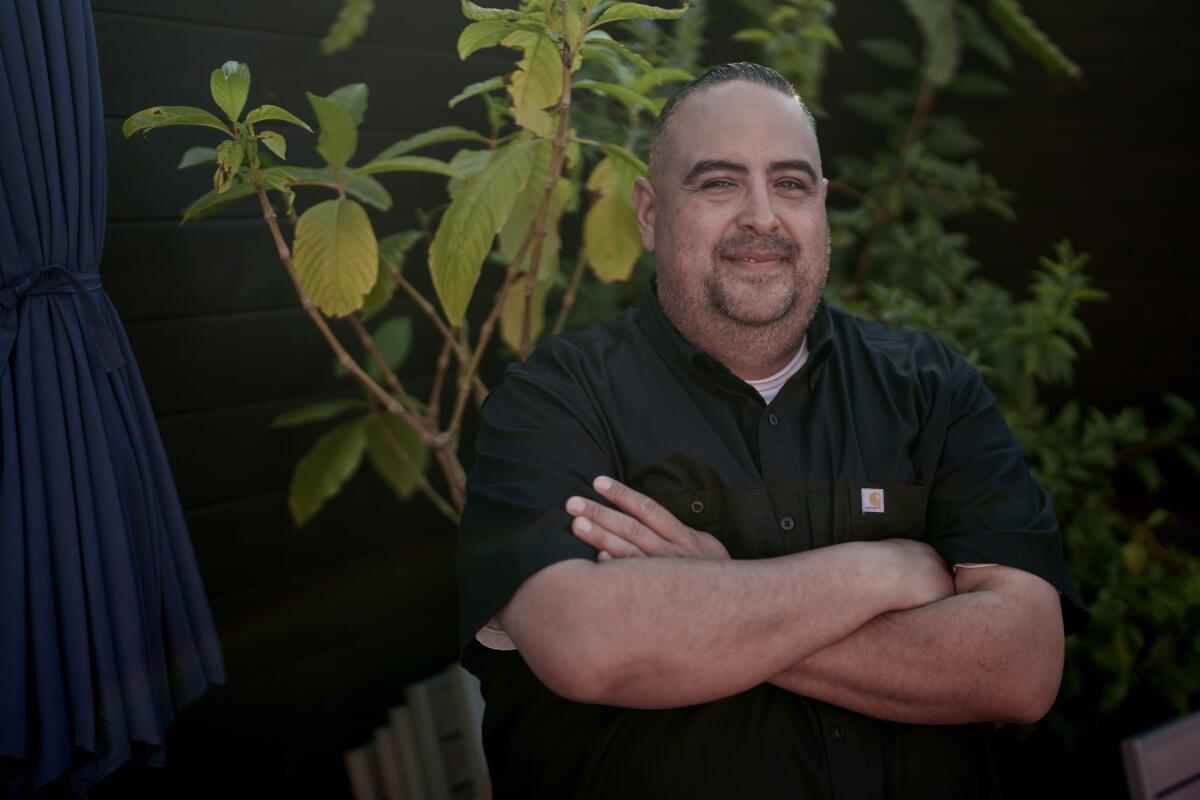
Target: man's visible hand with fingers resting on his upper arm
[{"x": 638, "y": 527}]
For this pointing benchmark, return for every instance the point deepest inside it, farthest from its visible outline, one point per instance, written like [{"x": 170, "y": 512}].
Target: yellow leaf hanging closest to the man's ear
[{"x": 610, "y": 227}]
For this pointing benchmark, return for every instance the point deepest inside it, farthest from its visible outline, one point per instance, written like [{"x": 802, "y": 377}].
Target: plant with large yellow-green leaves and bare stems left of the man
[{"x": 513, "y": 193}]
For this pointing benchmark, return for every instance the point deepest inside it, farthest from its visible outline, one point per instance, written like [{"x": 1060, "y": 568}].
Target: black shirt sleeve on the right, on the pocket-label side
[{"x": 985, "y": 506}]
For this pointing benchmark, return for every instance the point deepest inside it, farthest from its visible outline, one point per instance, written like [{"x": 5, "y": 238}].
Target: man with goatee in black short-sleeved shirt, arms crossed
[{"x": 805, "y": 483}]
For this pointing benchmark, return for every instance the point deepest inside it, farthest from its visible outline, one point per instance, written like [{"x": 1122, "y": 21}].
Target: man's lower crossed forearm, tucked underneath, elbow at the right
[{"x": 991, "y": 654}]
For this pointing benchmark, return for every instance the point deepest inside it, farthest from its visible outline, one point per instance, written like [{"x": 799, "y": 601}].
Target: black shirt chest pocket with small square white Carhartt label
[{"x": 856, "y": 513}]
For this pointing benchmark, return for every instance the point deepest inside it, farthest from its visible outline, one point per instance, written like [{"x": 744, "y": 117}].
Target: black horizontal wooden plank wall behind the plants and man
[{"x": 323, "y": 627}]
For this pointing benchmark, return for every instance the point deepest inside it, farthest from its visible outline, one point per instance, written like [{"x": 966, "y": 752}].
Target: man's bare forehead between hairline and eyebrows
[{"x": 740, "y": 122}]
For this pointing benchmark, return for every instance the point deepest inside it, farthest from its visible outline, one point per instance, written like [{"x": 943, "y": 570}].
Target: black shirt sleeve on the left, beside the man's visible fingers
[{"x": 538, "y": 444}]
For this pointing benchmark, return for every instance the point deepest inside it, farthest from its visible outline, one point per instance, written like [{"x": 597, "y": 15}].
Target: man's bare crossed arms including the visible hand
[{"x": 878, "y": 628}]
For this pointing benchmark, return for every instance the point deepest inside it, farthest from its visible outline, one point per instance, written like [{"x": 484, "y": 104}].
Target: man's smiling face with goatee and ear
[{"x": 736, "y": 215}]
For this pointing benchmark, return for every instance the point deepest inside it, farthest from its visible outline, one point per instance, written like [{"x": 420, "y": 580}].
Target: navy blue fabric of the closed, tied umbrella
[{"x": 105, "y": 627}]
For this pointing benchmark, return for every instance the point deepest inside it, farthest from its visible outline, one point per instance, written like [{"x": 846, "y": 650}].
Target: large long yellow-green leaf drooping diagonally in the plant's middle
[{"x": 473, "y": 219}]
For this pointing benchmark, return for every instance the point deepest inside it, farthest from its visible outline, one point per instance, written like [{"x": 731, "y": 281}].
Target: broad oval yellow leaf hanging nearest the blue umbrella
[{"x": 337, "y": 256}]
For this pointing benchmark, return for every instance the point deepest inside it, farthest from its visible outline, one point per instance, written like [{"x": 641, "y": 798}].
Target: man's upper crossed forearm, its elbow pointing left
[{"x": 671, "y": 633}]
